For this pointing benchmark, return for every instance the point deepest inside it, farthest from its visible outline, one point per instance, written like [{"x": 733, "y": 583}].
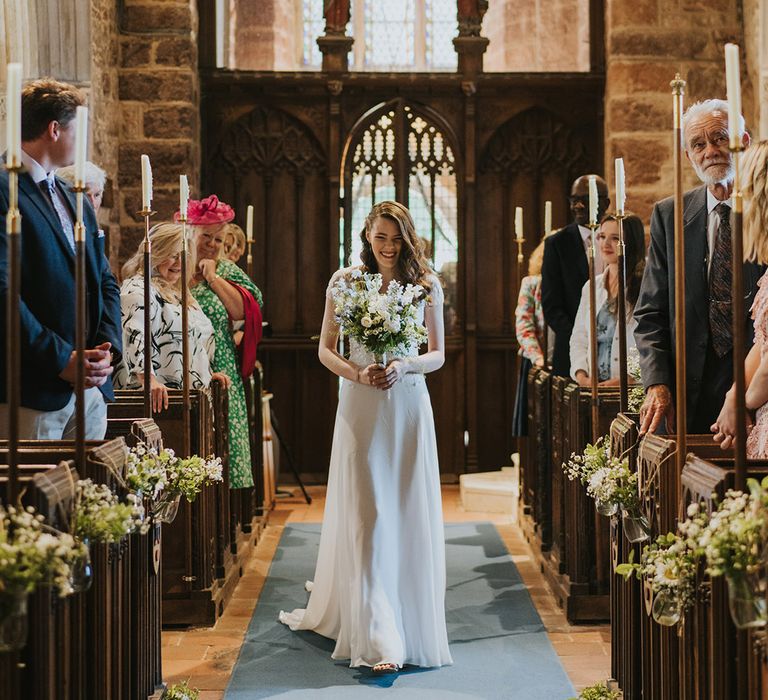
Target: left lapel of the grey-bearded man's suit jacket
[{"x": 696, "y": 251}]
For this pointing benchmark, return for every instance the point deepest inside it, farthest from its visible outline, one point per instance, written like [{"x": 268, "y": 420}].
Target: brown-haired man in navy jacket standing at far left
[{"x": 47, "y": 305}]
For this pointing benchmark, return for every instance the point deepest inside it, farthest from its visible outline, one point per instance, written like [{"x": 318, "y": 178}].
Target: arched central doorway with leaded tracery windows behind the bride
[{"x": 406, "y": 152}]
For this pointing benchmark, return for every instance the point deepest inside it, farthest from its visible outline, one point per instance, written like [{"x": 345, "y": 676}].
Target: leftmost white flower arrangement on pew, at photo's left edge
[{"x": 32, "y": 553}]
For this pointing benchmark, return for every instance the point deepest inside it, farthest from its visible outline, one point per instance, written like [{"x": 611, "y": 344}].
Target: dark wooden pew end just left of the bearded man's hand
[{"x": 626, "y": 596}]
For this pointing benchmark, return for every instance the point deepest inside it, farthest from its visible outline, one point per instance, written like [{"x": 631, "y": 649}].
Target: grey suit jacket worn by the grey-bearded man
[{"x": 655, "y": 308}]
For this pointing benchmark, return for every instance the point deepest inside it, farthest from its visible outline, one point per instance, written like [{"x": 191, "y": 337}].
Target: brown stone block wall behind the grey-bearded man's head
[{"x": 647, "y": 41}]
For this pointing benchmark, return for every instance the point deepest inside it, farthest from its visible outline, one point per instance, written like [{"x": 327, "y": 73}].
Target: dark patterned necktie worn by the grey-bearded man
[{"x": 720, "y": 278}]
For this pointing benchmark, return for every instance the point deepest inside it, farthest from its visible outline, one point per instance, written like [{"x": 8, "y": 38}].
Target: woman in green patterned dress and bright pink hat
[{"x": 223, "y": 304}]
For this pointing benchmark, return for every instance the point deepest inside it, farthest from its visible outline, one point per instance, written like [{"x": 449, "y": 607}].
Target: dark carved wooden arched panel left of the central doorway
[{"x": 273, "y": 159}]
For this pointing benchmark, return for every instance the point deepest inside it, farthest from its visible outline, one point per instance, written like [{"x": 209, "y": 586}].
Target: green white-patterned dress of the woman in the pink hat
[{"x": 225, "y": 360}]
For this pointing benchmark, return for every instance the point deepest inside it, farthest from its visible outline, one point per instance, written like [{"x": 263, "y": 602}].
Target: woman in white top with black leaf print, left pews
[{"x": 167, "y": 367}]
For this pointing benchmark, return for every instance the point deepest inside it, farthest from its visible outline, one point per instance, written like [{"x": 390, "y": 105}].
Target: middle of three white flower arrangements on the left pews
[{"x": 99, "y": 516}]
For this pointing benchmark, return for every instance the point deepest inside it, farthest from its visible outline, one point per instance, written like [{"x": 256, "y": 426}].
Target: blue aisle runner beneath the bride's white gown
[{"x": 499, "y": 646}]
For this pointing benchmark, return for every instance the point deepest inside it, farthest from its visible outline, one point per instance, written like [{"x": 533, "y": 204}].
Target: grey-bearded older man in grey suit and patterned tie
[{"x": 708, "y": 275}]
